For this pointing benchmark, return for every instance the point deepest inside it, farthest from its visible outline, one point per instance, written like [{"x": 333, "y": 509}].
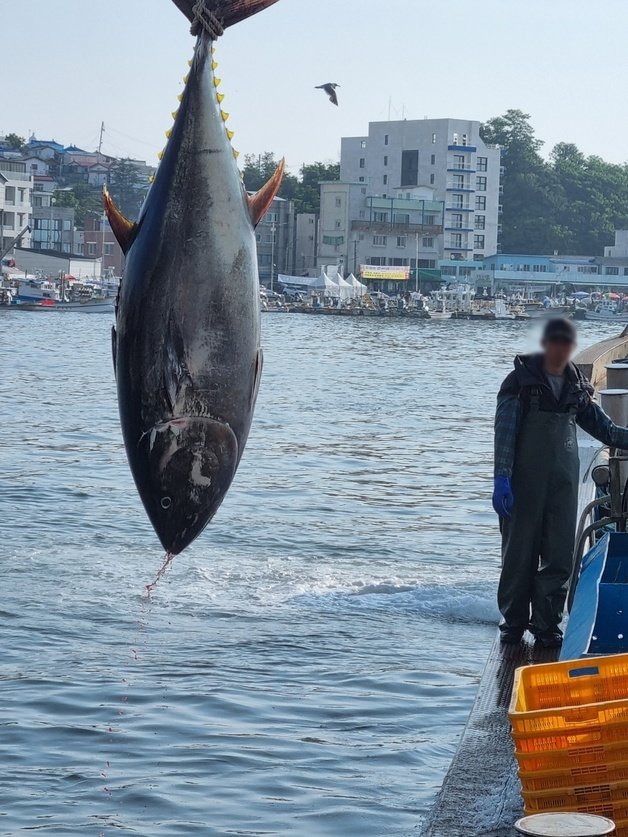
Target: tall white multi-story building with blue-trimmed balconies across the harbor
[{"x": 413, "y": 191}]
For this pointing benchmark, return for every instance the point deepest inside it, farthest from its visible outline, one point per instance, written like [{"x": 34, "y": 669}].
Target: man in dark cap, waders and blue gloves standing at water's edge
[{"x": 536, "y": 481}]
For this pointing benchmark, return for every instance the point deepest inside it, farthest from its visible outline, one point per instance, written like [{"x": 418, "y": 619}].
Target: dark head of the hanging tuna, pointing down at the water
[{"x": 185, "y": 467}]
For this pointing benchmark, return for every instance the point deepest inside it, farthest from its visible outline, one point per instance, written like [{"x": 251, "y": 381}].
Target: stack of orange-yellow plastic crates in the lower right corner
[{"x": 570, "y": 727}]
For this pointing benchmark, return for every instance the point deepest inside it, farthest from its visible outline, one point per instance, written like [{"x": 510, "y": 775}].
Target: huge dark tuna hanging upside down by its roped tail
[{"x": 186, "y": 345}]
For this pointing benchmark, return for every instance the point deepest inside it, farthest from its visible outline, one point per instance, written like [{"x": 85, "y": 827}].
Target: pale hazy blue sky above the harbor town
[{"x": 72, "y": 64}]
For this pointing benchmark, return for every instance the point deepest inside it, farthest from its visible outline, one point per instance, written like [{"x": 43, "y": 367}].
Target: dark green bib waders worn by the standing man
[{"x": 538, "y": 540}]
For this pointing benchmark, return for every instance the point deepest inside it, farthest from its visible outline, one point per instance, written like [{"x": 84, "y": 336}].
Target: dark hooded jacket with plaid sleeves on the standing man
[{"x": 528, "y": 381}]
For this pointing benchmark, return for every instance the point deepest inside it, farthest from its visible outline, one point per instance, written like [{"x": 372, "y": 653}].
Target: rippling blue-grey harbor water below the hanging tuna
[{"x": 307, "y": 667}]
